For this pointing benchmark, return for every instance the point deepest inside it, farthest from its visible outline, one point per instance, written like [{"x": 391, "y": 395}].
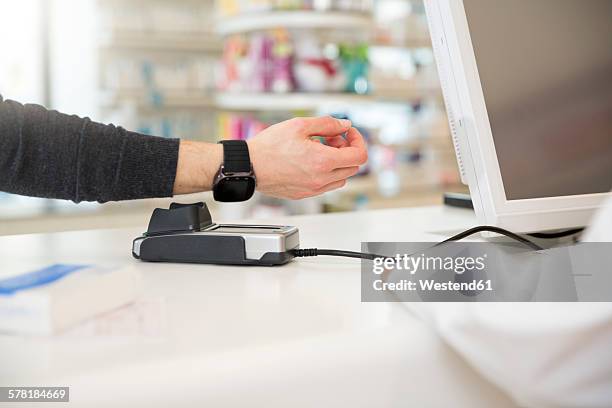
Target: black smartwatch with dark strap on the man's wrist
[{"x": 235, "y": 179}]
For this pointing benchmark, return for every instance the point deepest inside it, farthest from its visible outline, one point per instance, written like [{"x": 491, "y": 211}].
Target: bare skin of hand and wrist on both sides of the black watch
[{"x": 287, "y": 162}]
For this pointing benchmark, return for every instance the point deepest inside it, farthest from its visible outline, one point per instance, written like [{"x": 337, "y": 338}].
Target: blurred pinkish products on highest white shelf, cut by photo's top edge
[{"x": 233, "y": 7}]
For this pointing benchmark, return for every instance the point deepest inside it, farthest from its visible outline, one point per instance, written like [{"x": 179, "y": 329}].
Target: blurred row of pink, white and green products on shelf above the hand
[{"x": 280, "y": 61}]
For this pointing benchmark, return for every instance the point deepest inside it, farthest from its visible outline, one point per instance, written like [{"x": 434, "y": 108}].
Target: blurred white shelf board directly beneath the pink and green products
[{"x": 284, "y": 102}]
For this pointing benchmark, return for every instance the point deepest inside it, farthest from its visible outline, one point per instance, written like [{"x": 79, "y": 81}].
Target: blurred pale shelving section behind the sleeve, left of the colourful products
[{"x": 152, "y": 58}]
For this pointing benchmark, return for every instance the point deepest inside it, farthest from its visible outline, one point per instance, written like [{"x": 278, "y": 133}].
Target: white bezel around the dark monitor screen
[{"x": 483, "y": 175}]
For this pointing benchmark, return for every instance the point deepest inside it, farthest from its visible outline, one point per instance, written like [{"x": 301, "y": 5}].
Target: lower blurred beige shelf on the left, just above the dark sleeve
[{"x": 158, "y": 100}]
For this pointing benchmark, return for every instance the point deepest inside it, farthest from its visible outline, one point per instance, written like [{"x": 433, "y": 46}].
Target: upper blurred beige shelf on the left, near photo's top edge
[{"x": 157, "y": 41}]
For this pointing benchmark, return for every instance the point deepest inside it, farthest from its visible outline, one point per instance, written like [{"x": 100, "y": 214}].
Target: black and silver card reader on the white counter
[{"x": 186, "y": 233}]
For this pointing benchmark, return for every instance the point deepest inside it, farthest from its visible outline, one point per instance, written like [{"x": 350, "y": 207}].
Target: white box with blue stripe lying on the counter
[{"x": 51, "y": 299}]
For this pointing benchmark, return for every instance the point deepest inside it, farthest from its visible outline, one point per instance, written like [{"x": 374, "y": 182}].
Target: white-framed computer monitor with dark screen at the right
[{"x": 528, "y": 91}]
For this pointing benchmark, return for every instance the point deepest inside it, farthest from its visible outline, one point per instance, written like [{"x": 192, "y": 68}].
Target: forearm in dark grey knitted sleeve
[{"x": 48, "y": 154}]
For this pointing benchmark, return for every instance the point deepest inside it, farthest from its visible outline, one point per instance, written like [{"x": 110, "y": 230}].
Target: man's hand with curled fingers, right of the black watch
[{"x": 288, "y": 163}]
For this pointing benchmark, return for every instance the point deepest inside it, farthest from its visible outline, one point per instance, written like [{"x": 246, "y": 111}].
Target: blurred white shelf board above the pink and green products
[{"x": 247, "y": 22}]
